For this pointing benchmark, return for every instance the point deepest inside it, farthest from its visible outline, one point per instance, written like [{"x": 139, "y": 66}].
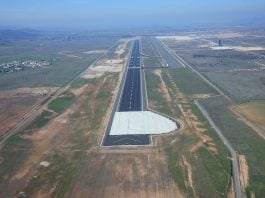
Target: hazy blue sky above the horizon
[{"x": 87, "y": 14}]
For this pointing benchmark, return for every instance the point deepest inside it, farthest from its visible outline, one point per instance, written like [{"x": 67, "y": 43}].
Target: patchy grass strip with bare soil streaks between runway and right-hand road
[{"x": 213, "y": 165}]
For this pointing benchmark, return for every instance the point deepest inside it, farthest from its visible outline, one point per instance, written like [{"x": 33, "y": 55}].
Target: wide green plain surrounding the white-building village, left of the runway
[{"x": 51, "y": 47}]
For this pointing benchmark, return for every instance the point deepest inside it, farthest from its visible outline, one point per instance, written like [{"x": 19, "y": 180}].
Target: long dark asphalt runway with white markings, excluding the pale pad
[{"x": 130, "y": 100}]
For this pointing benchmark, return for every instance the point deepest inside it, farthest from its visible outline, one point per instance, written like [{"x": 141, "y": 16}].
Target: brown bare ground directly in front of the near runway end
[{"x": 132, "y": 174}]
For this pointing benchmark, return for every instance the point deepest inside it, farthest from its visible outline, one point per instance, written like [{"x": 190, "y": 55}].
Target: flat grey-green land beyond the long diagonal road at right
[{"x": 238, "y": 73}]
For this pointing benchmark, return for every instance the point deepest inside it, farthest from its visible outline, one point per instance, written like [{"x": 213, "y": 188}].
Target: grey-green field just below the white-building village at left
[{"x": 62, "y": 70}]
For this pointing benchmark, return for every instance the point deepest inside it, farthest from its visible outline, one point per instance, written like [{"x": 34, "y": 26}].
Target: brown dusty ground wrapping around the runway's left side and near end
[{"x": 101, "y": 172}]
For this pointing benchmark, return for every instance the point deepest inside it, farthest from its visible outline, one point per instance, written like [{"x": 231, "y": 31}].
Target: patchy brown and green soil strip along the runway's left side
[{"x": 59, "y": 142}]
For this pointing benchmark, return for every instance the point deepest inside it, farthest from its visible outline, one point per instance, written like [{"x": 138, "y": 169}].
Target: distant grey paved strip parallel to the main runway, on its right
[{"x": 171, "y": 61}]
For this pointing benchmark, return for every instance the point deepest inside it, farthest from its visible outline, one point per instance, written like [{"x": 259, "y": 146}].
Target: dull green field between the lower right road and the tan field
[{"x": 243, "y": 139}]
